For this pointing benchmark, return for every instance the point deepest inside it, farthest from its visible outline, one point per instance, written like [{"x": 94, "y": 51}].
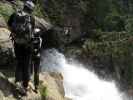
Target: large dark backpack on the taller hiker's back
[{"x": 21, "y": 28}]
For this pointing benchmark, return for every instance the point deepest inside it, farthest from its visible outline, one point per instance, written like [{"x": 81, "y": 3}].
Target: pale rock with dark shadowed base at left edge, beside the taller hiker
[{"x": 6, "y": 48}]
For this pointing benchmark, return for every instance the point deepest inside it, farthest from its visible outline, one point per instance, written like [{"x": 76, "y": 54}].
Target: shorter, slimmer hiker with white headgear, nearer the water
[{"x": 36, "y": 42}]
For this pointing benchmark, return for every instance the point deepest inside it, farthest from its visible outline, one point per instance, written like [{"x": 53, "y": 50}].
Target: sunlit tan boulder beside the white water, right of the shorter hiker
[{"x": 54, "y": 83}]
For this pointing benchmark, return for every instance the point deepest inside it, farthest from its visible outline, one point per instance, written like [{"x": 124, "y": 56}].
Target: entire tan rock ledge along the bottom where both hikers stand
[{"x": 52, "y": 82}]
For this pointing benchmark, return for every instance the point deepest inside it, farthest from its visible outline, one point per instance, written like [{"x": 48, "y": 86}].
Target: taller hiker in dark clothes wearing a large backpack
[{"x": 21, "y": 24}]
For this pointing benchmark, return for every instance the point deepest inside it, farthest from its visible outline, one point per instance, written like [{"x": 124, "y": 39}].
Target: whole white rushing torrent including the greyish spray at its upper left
[{"x": 80, "y": 83}]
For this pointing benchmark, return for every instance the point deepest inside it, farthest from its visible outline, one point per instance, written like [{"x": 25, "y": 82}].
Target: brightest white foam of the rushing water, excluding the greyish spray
[{"x": 81, "y": 84}]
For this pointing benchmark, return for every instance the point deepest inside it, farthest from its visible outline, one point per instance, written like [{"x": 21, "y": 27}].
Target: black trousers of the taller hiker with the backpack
[{"x": 23, "y": 68}]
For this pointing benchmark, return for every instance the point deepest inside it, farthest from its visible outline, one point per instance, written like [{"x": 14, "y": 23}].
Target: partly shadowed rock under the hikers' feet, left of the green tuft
[{"x": 7, "y": 90}]
